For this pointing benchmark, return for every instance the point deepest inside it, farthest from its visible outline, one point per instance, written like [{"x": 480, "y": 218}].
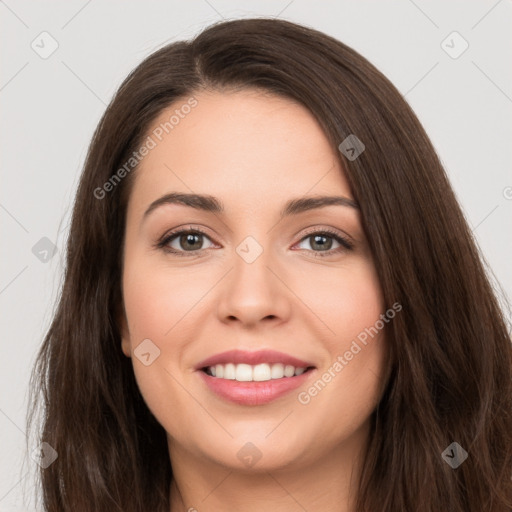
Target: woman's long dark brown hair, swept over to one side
[{"x": 450, "y": 378}]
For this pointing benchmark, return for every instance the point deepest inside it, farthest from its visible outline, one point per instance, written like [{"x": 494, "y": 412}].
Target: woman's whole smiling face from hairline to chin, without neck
[{"x": 294, "y": 294}]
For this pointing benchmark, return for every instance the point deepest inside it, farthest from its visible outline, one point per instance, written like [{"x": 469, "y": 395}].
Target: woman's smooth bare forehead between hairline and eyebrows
[{"x": 243, "y": 146}]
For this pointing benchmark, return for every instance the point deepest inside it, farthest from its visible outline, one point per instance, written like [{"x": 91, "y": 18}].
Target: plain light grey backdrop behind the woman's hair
[{"x": 50, "y": 107}]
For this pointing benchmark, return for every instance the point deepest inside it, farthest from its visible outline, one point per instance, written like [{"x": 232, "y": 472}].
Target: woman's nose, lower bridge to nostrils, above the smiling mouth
[{"x": 254, "y": 292}]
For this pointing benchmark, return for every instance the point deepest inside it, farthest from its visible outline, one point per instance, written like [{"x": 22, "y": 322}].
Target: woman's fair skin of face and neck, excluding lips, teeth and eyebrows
[{"x": 253, "y": 151}]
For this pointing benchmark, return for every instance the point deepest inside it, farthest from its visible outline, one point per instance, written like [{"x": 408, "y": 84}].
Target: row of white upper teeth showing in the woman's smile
[{"x": 256, "y": 373}]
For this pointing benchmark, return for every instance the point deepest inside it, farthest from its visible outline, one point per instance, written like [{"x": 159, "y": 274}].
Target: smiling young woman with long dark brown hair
[{"x": 272, "y": 299}]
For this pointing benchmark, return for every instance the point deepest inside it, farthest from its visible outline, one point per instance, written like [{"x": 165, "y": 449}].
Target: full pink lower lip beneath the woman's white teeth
[{"x": 254, "y": 393}]
